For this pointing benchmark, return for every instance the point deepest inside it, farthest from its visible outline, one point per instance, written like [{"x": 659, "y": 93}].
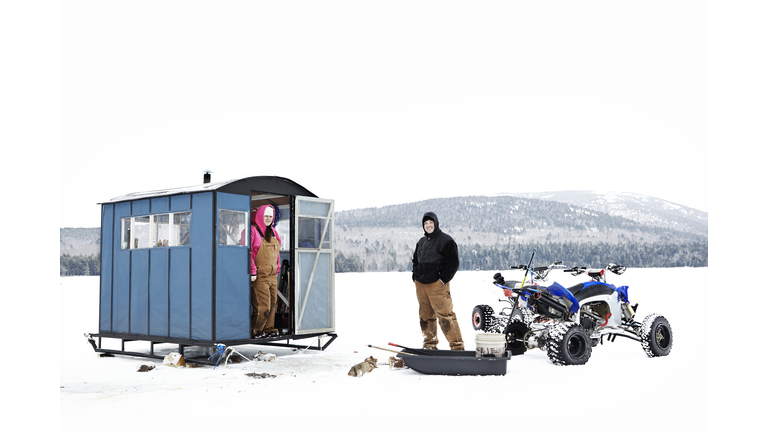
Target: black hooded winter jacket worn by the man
[{"x": 436, "y": 256}]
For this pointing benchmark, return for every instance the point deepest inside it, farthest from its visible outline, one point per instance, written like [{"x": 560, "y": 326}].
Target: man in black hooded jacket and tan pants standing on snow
[{"x": 435, "y": 262}]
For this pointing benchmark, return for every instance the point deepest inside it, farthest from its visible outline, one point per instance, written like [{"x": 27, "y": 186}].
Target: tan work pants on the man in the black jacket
[{"x": 435, "y": 304}]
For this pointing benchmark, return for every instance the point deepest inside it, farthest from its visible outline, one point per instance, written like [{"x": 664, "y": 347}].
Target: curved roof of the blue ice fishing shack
[{"x": 244, "y": 186}]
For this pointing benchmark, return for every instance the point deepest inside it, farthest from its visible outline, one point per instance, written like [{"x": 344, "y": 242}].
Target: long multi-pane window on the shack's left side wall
[{"x": 162, "y": 230}]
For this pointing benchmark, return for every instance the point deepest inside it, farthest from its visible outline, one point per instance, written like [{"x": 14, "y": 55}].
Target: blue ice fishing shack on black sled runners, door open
[{"x": 174, "y": 266}]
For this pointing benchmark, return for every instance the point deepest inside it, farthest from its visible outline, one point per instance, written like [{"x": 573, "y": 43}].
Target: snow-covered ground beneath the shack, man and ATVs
[{"x": 620, "y": 388}]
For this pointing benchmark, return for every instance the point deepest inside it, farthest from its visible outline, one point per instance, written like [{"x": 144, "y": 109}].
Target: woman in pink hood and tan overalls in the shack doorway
[{"x": 265, "y": 266}]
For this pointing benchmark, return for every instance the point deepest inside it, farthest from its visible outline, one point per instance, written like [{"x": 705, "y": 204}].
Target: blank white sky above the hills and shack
[{"x": 383, "y": 103}]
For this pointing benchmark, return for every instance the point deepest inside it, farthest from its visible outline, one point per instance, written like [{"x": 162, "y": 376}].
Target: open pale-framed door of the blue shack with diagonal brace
[{"x": 314, "y": 270}]
